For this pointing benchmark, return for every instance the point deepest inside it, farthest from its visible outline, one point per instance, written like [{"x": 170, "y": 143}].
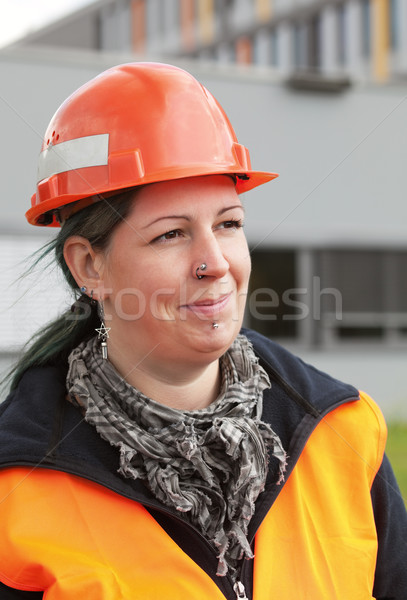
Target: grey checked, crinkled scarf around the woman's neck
[{"x": 209, "y": 464}]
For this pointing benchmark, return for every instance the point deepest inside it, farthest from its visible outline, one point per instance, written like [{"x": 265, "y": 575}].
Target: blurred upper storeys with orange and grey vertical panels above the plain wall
[{"x": 357, "y": 38}]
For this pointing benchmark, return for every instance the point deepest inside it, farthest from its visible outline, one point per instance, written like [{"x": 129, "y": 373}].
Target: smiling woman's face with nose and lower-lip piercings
[{"x": 157, "y": 308}]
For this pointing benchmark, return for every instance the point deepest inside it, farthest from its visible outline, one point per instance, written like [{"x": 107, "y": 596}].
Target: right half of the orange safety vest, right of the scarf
[{"x": 319, "y": 540}]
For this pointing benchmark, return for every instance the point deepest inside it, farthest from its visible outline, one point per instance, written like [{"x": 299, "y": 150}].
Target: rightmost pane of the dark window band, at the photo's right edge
[{"x": 373, "y": 289}]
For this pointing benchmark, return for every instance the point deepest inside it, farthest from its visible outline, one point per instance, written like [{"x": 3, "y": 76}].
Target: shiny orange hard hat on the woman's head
[{"x": 131, "y": 125}]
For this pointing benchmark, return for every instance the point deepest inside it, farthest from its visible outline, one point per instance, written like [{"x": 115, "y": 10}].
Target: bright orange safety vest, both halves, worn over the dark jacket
[{"x": 79, "y": 540}]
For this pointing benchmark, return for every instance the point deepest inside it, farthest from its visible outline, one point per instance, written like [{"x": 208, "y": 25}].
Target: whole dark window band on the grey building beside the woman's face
[{"x": 329, "y": 297}]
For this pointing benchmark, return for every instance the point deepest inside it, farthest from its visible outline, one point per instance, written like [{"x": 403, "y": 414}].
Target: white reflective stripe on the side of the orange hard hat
[{"x": 89, "y": 151}]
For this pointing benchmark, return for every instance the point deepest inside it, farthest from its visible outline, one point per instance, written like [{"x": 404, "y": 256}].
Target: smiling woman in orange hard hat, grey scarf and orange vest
[{"x": 149, "y": 448}]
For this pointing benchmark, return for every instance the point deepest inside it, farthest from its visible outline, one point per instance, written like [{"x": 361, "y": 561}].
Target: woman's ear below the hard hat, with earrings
[{"x": 85, "y": 264}]
